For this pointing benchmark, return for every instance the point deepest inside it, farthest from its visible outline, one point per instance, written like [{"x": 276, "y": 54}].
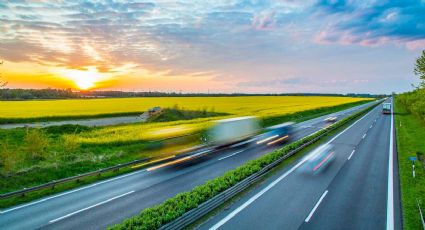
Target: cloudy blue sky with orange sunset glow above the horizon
[{"x": 217, "y": 46}]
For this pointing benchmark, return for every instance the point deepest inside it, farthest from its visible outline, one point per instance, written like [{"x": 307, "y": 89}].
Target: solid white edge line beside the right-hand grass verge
[{"x": 390, "y": 188}]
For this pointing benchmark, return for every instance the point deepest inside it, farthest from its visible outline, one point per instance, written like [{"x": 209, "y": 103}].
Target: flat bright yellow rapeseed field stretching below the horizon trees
[{"x": 262, "y": 106}]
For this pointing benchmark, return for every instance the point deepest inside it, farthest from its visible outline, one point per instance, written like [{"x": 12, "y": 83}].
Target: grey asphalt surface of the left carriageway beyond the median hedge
[{"x": 149, "y": 188}]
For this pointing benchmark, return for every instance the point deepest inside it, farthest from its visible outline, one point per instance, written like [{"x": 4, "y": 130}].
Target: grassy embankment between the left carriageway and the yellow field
[{"x": 35, "y": 156}]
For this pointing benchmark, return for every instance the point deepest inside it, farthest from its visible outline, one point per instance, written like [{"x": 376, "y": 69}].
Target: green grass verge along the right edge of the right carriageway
[{"x": 410, "y": 133}]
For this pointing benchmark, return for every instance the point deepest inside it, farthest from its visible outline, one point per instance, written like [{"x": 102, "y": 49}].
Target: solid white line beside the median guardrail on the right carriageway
[{"x": 271, "y": 185}]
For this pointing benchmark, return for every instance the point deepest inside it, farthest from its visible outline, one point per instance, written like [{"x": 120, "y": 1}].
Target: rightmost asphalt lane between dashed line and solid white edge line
[{"x": 357, "y": 197}]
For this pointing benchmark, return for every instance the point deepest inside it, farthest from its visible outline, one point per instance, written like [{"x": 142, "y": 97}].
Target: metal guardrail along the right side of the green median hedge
[{"x": 211, "y": 204}]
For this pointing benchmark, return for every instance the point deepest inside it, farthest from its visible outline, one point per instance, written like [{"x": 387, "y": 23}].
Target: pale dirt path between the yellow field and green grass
[{"x": 86, "y": 122}]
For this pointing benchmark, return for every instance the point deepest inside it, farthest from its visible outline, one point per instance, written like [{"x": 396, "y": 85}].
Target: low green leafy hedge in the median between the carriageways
[{"x": 171, "y": 209}]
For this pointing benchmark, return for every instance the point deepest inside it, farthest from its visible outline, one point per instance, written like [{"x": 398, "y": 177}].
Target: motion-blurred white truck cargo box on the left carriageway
[{"x": 233, "y": 130}]
